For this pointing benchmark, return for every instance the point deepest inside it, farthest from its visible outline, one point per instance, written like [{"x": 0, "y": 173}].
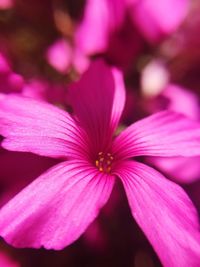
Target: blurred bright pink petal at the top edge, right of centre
[{"x": 156, "y": 19}]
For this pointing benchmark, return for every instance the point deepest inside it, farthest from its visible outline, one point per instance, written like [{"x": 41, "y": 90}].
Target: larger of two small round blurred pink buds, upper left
[{"x": 59, "y": 55}]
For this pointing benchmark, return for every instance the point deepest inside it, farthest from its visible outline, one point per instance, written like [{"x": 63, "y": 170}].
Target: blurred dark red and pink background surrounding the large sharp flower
[{"x": 46, "y": 45}]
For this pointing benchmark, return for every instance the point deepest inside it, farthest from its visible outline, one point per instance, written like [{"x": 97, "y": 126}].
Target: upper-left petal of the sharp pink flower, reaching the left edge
[{"x": 34, "y": 126}]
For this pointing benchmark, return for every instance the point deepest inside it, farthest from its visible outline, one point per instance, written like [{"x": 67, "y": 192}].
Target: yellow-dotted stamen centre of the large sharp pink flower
[{"x": 104, "y": 162}]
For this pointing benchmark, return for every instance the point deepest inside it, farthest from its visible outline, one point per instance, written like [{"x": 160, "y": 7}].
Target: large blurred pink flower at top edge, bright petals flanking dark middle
[{"x": 110, "y": 27}]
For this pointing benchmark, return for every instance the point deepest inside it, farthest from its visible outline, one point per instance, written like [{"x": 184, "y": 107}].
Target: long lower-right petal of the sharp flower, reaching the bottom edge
[{"x": 165, "y": 214}]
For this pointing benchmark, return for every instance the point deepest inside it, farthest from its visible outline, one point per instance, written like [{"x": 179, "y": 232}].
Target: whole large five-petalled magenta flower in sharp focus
[{"x": 57, "y": 207}]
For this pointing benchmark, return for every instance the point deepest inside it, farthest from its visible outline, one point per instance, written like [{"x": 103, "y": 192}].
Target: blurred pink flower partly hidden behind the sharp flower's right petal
[{"x": 179, "y": 99}]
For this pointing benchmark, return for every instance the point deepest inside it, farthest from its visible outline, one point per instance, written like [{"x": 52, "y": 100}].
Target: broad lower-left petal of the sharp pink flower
[{"x": 57, "y": 207}]
